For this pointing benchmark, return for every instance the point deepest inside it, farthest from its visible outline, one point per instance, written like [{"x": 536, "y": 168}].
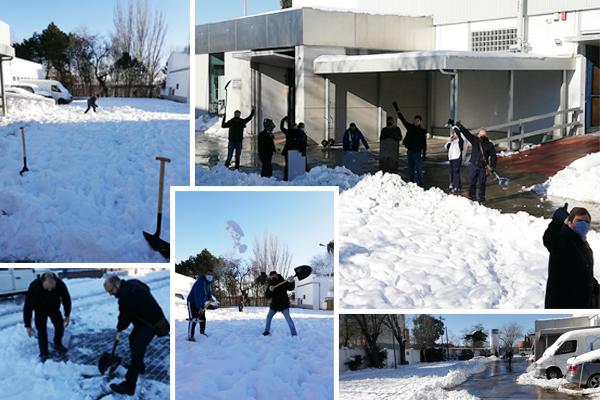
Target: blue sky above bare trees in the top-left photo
[{"x": 28, "y": 16}]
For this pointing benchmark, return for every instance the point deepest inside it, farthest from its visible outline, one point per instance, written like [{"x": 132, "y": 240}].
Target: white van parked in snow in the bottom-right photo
[{"x": 553, "y": 363}]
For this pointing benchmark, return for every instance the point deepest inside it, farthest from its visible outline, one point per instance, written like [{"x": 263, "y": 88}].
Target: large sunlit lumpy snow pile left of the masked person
[{"x": 404, "y": 247}]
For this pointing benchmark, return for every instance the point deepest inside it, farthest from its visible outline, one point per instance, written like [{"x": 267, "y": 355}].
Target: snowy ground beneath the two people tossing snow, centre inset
[{"x": 236, "y": 362}]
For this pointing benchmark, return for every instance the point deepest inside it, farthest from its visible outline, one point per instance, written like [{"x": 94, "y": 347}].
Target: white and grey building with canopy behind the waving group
[{"x": 490, "y": 63}]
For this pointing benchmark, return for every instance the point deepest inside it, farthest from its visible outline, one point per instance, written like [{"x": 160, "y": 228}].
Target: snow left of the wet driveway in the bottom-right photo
[{"x": 423, "y": 381}]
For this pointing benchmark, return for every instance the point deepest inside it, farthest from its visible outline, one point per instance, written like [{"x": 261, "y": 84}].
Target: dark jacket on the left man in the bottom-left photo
[{"x": 41, "y": 300}]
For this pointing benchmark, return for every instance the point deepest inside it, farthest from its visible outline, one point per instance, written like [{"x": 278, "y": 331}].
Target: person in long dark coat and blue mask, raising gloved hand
[{"x": 571, "y": 282}]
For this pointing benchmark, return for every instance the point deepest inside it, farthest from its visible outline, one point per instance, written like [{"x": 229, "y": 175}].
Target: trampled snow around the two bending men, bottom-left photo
[{"x": 22, "y": 376}]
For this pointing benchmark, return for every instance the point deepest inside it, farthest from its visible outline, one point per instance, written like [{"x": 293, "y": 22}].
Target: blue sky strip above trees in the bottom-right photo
[{"x": 457, "y": 323}]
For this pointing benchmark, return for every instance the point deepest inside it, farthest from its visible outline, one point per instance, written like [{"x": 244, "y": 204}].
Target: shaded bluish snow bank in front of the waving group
[{"x": 317, "y": 176}]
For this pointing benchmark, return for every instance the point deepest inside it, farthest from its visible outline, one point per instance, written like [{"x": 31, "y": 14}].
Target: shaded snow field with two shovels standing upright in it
[{"x": 92, "y": 183}]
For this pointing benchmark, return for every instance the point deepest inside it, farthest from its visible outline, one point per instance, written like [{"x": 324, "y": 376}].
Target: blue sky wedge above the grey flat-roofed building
[{"x": 227, "y": 9}]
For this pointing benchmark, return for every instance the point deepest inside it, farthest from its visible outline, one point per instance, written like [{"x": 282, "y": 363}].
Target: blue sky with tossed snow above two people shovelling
[{"x": 302, "y": 220}]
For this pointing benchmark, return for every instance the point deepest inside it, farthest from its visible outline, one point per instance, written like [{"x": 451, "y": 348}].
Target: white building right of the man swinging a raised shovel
[{"x": 315, "y": 292}]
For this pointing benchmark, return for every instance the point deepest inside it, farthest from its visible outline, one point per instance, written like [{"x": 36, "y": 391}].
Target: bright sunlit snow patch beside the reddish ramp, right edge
[{"x": 579, "y": 181}]
